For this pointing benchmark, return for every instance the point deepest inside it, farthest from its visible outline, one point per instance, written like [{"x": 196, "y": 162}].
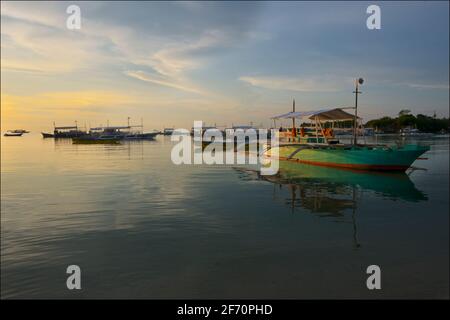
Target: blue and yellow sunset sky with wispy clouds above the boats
[{"x": 170, "y": 63}]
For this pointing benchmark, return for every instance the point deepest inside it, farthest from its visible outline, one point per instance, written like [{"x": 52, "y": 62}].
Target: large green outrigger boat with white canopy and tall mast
[{"x": 321, "y": 147}]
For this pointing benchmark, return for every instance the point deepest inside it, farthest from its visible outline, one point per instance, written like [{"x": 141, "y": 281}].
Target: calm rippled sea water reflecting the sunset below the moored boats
[{"x": 141, "y": 227}]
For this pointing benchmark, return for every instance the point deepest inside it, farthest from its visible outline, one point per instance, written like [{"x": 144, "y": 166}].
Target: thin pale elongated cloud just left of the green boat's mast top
[{"x": 292, "y": 83}]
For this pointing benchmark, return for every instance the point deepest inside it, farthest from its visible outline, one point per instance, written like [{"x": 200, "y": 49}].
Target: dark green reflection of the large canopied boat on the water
[{"x": 334, "y": 193}]
